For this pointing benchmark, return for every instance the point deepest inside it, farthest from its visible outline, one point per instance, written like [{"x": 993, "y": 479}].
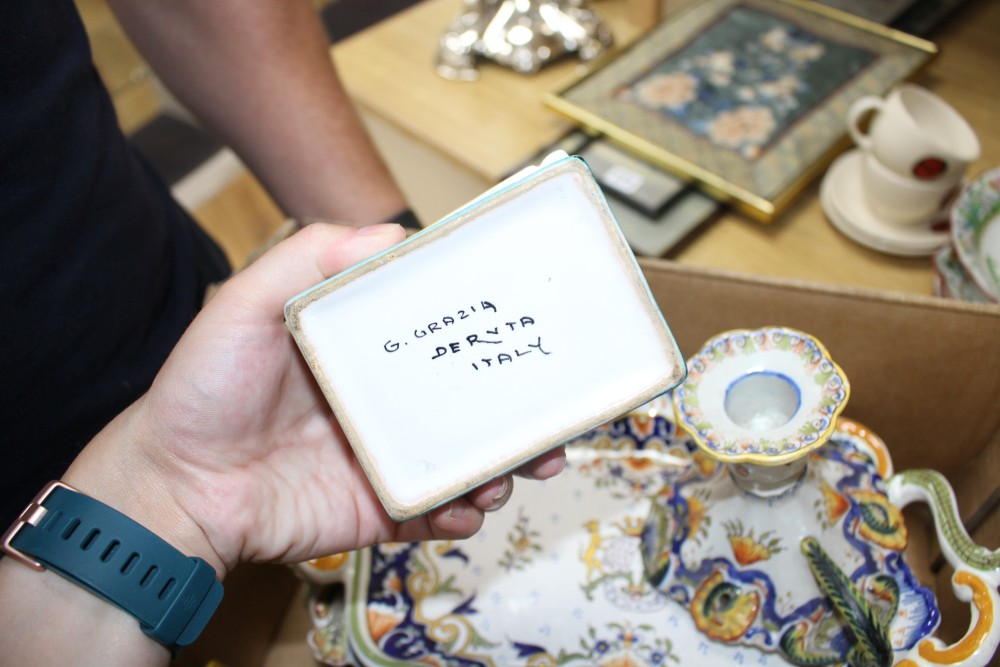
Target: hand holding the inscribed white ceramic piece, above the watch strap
[{"x": 234, "y": 455}]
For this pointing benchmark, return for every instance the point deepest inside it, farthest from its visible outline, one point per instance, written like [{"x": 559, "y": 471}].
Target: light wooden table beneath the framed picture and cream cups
[{"x": 456, "y": 138}]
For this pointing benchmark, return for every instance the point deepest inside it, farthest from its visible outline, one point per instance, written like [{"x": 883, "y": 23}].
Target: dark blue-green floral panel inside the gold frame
[{"x": 742, "y": 82}]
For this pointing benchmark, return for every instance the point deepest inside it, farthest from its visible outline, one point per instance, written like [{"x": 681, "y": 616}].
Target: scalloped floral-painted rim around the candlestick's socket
[{"x": 725, "y": 359}]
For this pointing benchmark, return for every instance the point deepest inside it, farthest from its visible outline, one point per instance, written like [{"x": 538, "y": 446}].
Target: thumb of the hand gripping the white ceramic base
[{"x": 311, "y": 255}]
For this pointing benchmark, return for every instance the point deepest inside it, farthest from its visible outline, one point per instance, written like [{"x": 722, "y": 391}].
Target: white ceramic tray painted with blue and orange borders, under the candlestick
[{"x": 554, "y": 578}]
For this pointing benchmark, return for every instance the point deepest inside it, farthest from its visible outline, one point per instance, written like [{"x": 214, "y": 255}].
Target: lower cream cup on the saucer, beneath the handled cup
[{"x": 902, "y": 200}]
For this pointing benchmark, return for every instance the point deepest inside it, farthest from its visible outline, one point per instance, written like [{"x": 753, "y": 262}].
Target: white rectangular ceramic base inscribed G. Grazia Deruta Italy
[{"x": 500, "y": 332}]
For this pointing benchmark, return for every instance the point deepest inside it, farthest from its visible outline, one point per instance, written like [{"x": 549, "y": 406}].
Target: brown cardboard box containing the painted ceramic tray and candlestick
[{"x": 924, "y": 374}]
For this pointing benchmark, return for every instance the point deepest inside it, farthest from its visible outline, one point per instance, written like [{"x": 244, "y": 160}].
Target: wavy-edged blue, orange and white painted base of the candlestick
[{"x": 745, "y": 581}]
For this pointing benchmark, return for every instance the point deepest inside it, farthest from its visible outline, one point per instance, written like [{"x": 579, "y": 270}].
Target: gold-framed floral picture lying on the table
[{"x": 747, "y": 98}]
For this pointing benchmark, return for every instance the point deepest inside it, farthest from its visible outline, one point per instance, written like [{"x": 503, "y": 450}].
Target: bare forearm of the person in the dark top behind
[{"x": 259, "y": 75}]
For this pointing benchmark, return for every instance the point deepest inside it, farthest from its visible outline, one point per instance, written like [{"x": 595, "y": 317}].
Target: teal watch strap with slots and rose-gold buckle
[{"x": 109, "y": 554}]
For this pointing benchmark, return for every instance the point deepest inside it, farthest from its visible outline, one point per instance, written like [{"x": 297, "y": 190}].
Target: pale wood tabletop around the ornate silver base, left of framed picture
[{"x": 489, "y": 125}]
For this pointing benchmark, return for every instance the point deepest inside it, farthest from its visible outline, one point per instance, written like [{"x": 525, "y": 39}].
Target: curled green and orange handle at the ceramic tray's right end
[{"x": 977, "y": 574}]
